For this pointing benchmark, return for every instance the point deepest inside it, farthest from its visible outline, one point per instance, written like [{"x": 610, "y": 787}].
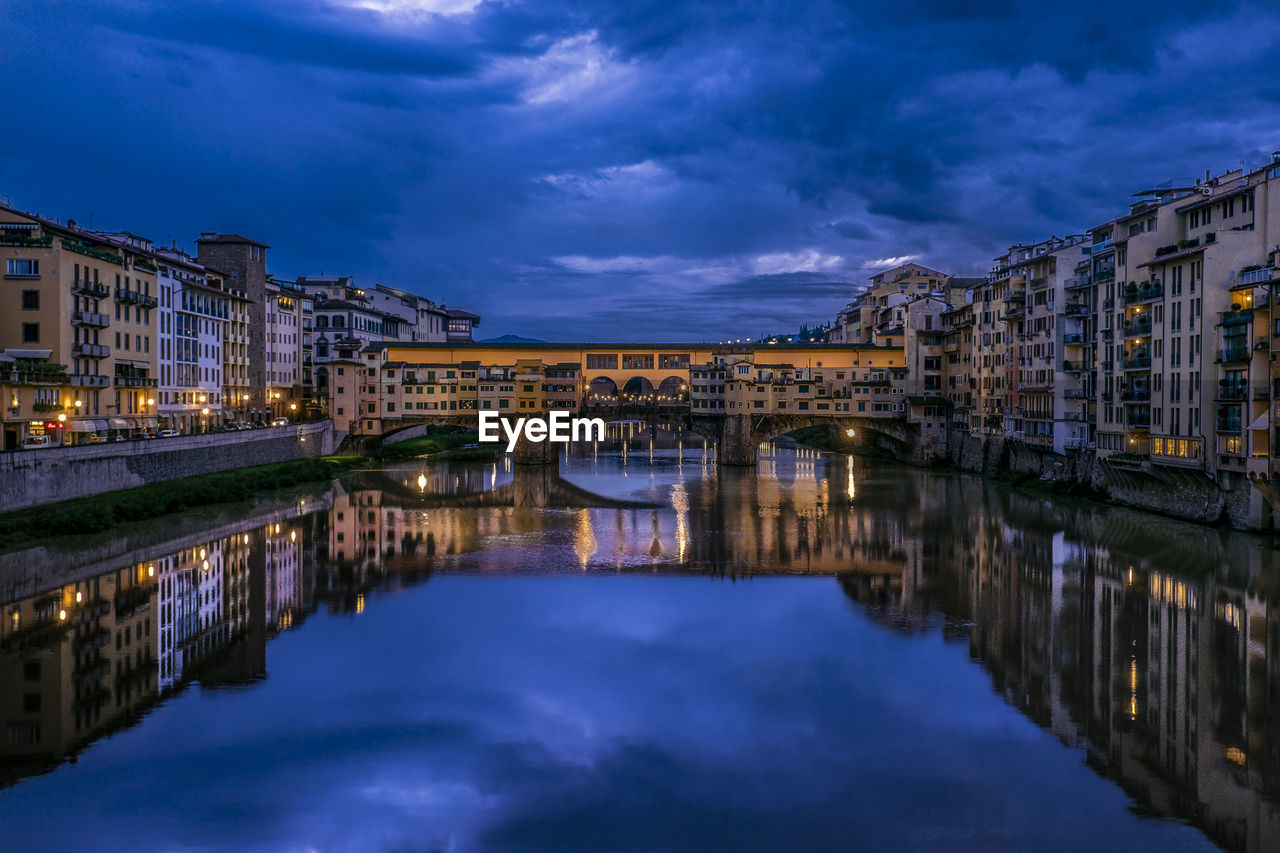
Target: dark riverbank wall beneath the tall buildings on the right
[{"x": 1231, "y": 499}]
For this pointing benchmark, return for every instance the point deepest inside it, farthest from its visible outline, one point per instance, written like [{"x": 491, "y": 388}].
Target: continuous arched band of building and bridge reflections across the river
[{"x": 1149, "y": 645}]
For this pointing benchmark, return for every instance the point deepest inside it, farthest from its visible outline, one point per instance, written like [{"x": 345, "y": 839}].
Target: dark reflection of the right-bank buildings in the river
[{"x": 1154, "y": 646}]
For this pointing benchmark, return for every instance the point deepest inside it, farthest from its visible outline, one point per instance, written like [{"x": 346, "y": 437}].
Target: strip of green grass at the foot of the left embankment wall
[{"x": 104, "y": 512}]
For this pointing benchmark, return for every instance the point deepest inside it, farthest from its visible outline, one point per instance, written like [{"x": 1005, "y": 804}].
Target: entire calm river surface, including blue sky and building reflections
[{"x": 643, "y": 653}]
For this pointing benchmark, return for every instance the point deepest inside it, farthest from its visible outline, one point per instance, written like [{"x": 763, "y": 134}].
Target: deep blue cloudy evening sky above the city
[{"x": 632, "y": 170}]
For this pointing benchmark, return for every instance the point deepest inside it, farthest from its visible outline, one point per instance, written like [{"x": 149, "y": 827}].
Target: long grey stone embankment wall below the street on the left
[{"x": 35, "y": 477}]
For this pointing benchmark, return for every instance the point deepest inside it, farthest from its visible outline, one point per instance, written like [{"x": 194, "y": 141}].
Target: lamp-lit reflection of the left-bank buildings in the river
[{"x": 92, "y": 656}]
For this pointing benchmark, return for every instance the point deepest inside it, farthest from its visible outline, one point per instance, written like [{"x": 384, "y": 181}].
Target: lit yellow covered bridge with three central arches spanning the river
[{"x": 735, "y": 395}]
